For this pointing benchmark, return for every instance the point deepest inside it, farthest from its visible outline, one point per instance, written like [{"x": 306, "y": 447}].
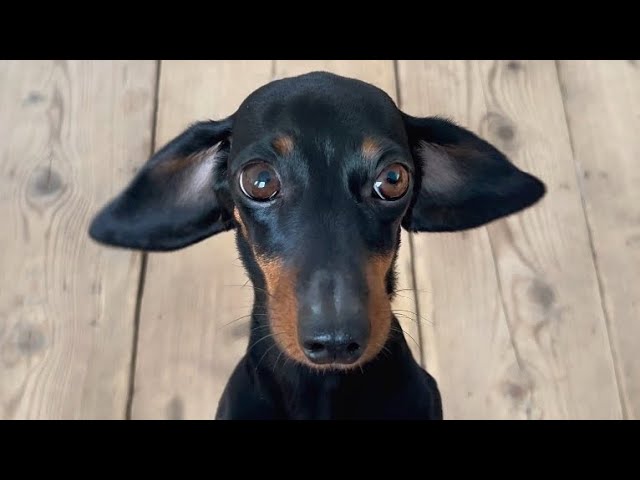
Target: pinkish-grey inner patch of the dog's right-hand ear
[{"x": 441, "y": 172}]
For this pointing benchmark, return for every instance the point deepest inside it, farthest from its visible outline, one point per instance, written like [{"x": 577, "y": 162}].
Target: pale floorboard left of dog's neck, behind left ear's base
[{"x": 186, "y": 350}]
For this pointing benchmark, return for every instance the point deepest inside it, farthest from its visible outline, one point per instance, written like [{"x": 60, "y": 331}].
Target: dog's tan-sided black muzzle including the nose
[{"x": 305, "y": 334}]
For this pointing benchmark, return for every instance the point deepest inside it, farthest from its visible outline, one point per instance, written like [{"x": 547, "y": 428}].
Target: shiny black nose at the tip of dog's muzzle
[{"x": 338, "y": 347}]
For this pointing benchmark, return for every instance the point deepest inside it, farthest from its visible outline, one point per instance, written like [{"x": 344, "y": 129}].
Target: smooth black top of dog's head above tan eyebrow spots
[{"x": 319, "y": 104}]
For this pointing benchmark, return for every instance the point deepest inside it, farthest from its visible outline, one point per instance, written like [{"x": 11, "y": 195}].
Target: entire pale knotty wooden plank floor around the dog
[{"x": 533, "y": 317}]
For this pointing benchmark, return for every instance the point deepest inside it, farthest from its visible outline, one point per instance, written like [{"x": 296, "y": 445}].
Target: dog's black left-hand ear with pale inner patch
[{"x": 174, "y": 200}]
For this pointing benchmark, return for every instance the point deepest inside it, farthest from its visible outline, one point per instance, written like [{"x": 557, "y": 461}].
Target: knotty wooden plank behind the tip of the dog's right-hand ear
[{"x": 548, "y": 278}]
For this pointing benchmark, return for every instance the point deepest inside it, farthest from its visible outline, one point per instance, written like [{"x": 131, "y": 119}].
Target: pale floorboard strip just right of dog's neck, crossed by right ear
[{"x": 466, "y": 344}]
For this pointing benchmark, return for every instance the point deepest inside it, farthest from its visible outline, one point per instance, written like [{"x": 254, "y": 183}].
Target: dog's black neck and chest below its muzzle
[{"x": 393, "y": 386}]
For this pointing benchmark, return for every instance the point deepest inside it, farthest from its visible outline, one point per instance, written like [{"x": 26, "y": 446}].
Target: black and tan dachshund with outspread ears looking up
[{"x": 318, "y": 174}]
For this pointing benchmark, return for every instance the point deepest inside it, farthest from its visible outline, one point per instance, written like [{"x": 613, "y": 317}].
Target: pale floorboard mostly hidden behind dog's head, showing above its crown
[{"x": 380, "y": 73}]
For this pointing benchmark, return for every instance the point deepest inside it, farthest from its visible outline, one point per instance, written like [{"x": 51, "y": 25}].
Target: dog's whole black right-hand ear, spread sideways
[{"x": 463, "y": 181}]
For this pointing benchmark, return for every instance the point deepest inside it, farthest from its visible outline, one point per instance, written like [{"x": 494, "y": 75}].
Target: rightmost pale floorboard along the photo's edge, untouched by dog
[{"x": 602, "y": 101}]
